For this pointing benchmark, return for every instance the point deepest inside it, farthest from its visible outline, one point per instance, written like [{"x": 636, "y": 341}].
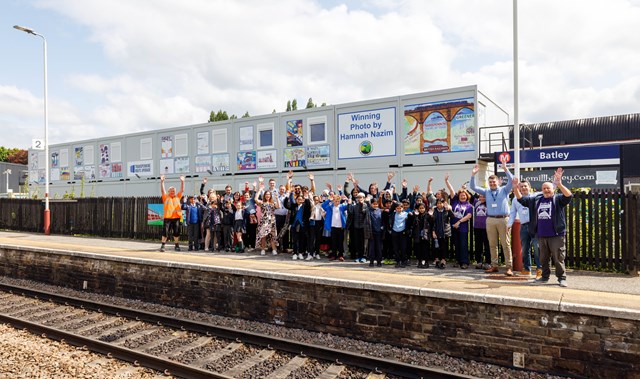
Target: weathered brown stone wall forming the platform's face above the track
[{"x": 458, "y": 325}]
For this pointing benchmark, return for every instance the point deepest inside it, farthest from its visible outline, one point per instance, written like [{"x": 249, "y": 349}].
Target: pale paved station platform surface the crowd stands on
[{"x": 593, "y": 293}]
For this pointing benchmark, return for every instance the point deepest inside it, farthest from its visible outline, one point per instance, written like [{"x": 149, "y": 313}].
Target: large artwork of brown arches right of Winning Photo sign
[{"x": 437, "y": 127}]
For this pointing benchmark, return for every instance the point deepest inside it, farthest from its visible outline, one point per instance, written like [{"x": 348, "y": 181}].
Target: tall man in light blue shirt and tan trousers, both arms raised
[{"x": 497, "y": 198}]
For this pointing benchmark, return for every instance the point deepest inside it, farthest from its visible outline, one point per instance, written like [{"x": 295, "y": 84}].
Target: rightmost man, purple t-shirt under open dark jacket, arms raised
[{"x": 548, "y": 224}]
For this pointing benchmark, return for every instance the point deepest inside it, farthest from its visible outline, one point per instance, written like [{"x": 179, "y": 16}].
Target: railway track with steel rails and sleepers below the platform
[{"x": 185, "y": 348}]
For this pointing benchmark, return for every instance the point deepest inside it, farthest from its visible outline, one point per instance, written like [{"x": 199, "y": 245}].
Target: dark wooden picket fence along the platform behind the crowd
[{"x": 603, "y": 227}]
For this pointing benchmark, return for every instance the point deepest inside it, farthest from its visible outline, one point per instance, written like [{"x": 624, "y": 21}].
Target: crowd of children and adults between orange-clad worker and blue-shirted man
[{"x": 372, "y": 225}]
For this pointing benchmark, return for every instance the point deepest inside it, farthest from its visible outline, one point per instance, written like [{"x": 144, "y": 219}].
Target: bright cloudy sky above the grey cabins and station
[{"x": 122, "y": 66}]
